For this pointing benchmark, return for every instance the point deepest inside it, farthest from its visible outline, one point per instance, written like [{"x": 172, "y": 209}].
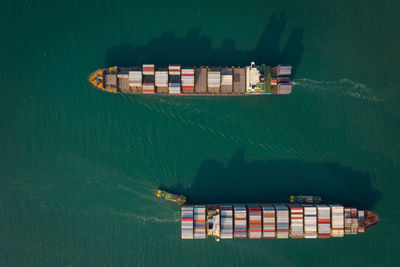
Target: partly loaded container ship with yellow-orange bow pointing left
[{"x": 194, "y": 81}]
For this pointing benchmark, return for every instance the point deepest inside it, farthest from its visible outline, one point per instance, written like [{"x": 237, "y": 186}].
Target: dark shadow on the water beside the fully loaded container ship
[{"x": 242, "y": 181}]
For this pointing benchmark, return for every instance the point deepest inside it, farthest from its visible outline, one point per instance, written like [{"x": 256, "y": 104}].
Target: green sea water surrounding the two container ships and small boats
[{"x": 79, "y": 167}]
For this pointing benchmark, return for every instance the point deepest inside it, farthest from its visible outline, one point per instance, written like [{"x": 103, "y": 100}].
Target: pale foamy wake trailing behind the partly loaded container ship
[{"x": 345, "y": 86}]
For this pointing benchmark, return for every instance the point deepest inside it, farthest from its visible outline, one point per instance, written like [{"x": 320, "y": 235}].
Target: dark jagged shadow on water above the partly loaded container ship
[{"x": 196, "y": 49}]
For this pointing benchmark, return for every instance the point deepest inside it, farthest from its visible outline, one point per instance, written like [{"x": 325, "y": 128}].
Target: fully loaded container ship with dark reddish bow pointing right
[{"x": 283, "y": 220}]
